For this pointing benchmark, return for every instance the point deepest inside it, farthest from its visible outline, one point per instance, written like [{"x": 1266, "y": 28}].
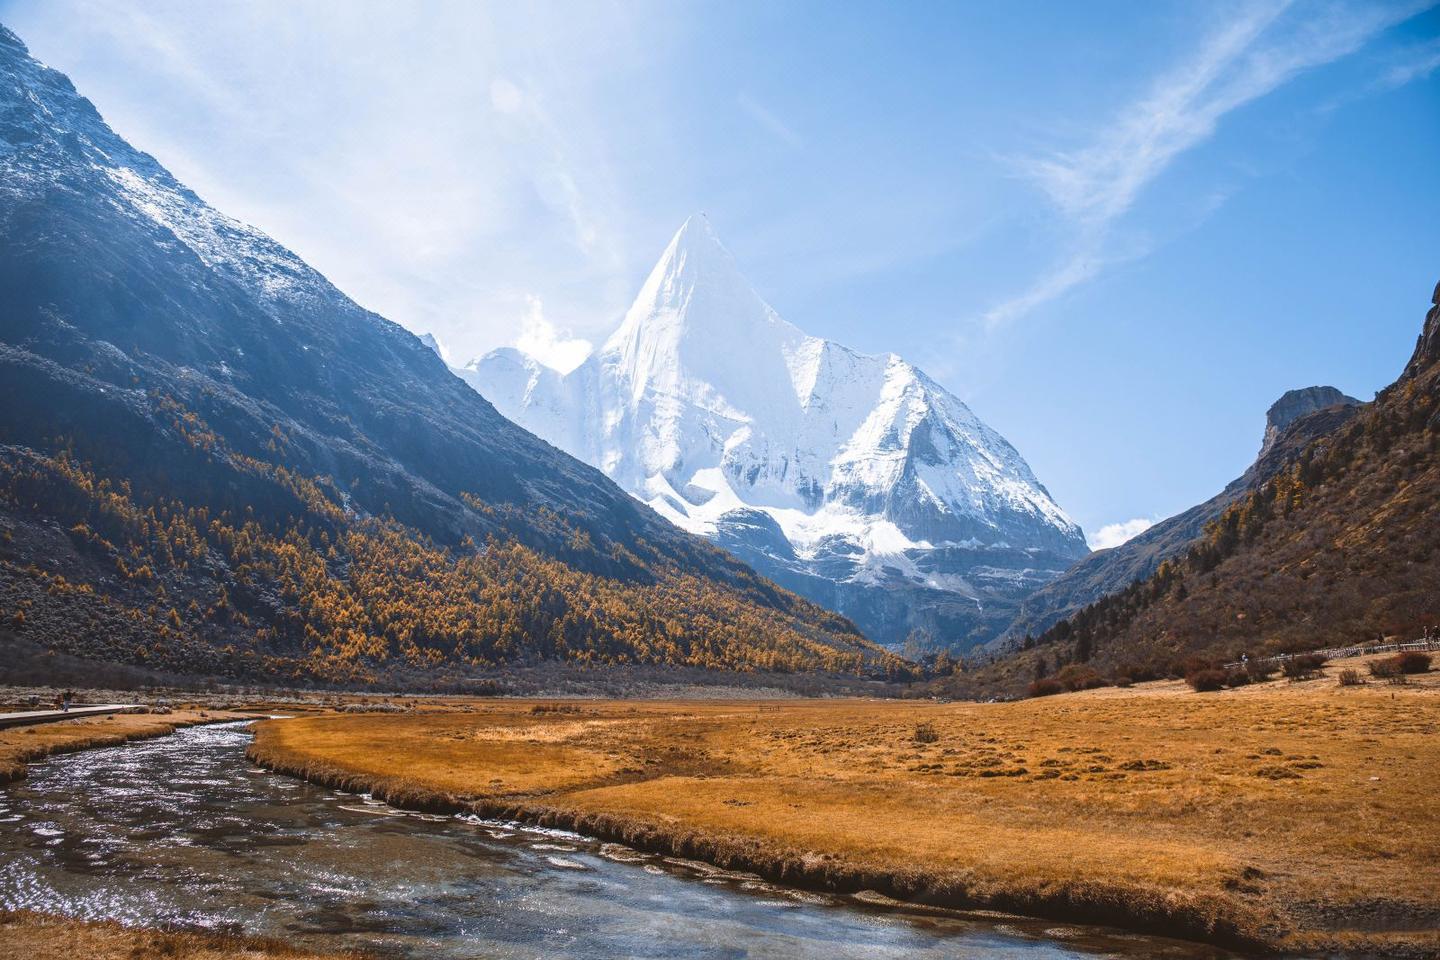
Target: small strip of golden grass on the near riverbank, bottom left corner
[{"x": 30, "y": 936}]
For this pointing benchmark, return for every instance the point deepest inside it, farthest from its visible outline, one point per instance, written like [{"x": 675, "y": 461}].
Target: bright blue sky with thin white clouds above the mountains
[{"x": 1120, "y": 231}]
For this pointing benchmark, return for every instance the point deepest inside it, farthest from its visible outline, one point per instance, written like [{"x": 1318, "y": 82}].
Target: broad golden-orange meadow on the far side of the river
[{"x": 1294, "y": 817}]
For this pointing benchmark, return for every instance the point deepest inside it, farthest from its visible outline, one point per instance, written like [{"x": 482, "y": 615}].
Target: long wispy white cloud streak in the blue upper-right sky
[{"x": 1094, "y": 189}]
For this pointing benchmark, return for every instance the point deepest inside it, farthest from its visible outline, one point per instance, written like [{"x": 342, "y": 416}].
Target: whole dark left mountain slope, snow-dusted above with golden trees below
[{"x": 215, "y": 461}]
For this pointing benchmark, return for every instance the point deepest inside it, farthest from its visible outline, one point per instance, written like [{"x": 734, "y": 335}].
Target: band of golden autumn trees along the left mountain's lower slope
[{"x": 318, "y": 594}]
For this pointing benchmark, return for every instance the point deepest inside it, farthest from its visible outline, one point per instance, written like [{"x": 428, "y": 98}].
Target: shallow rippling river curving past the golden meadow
[{"x": 185, "y": 830}]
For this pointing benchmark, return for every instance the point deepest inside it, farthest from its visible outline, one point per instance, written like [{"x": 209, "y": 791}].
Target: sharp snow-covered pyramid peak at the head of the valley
[{"x": 855, "y": 480}]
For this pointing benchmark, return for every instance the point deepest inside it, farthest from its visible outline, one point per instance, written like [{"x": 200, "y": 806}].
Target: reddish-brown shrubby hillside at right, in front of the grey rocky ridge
[{"x": 1340, "y": 546}]
